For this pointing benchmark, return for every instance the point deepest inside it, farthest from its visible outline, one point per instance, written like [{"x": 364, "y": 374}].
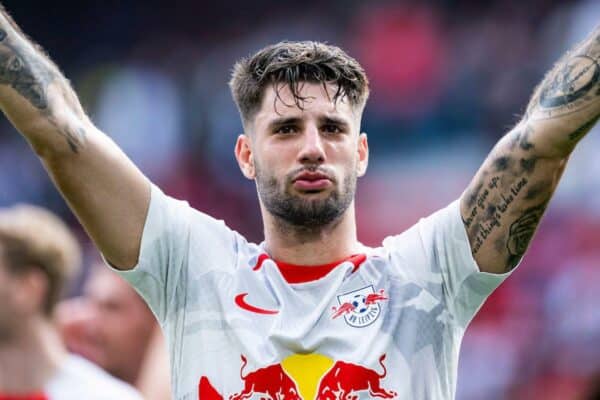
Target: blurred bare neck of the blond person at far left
[{"x": 31, "y": 358}]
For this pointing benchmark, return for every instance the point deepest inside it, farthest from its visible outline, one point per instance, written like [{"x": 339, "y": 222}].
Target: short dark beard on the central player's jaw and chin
[{"x": 301, "y": 213}]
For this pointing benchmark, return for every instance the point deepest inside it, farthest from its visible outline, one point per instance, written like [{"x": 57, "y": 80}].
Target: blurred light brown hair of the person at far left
[{"x": 33, "y": 238}]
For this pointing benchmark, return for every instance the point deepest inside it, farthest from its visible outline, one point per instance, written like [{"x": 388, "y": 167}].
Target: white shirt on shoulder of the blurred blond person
[{"x": 79, "y": 379}]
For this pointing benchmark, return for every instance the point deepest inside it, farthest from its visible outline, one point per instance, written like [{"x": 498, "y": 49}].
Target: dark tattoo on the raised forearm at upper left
[{"x": 27, "y": 71}]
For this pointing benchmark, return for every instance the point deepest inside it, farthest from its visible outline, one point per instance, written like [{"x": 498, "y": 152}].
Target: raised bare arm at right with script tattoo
[{"x": 502, "y": 206}]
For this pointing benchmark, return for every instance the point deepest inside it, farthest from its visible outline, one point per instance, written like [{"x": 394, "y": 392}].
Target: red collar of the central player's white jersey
[{"x": 307, "y": 273}]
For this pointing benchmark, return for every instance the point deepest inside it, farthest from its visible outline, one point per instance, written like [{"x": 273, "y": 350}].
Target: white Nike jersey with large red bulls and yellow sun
[{"x": 386, "y": 323}]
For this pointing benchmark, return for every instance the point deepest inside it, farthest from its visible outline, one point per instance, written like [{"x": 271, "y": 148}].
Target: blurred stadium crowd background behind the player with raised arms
[{"x": 448, "y": 79}]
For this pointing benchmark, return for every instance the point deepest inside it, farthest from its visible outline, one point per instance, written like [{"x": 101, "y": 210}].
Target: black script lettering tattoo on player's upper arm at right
[{"x": 508, "y": 199}]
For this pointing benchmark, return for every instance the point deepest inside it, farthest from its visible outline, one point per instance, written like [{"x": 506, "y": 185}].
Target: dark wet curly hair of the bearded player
[{"x": 291, "y": 64}]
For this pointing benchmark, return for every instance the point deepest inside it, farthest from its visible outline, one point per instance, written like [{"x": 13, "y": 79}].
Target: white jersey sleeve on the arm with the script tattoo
[{"x": 440, "y": 248}]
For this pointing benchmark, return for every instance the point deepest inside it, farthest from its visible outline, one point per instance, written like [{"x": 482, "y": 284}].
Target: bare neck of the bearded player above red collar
[{"x": 300, "y": 246}]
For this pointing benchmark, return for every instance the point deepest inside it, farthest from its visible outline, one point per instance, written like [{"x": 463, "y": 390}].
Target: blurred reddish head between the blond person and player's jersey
[{"x": 109, "y": 325}]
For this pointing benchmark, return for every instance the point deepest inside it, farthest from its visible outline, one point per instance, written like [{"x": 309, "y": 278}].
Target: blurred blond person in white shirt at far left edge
[{"x": 38, "y": 254}]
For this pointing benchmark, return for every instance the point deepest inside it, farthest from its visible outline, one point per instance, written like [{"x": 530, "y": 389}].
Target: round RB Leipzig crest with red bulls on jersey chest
[{"x": 359, "y": 307}]
